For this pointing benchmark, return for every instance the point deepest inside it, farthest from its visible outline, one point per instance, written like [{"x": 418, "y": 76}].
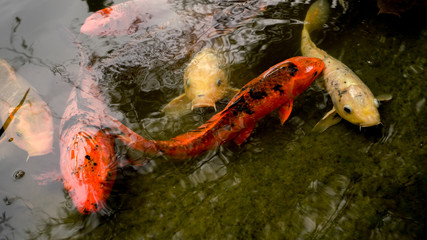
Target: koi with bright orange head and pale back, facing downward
[{"x": 87, "y": 133}]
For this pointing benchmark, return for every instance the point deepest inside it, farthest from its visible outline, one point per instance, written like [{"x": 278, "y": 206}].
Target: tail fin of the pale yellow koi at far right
[{"x": 317, "y": 15}]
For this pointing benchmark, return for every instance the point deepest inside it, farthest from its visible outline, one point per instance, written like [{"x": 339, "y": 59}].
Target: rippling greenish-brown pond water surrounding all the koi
[{"x": 283, "y": 182}]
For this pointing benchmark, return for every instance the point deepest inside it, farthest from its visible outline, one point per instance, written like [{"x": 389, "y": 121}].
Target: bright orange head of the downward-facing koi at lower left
[{"x": 89, "y": 168}]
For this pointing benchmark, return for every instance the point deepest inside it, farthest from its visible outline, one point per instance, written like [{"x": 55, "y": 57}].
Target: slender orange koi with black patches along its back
[{"x": 275, "y": 88}]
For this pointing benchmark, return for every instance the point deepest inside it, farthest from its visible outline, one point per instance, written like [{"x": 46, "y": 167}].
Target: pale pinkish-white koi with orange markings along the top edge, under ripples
[{"x": 147, "y": 15}]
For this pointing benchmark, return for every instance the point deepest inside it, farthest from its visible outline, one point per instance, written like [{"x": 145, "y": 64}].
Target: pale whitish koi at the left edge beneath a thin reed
[{"x": 27, "y": 120}]
